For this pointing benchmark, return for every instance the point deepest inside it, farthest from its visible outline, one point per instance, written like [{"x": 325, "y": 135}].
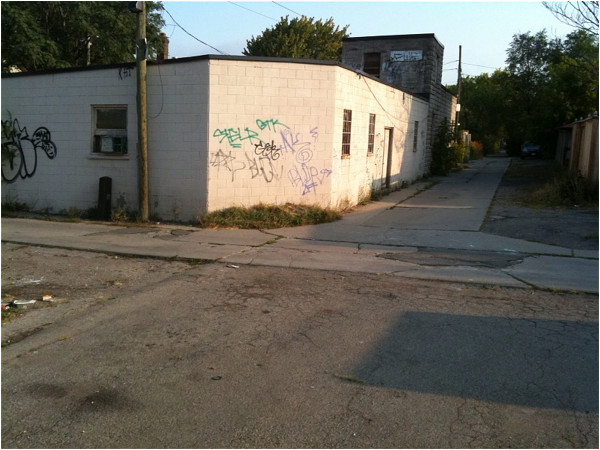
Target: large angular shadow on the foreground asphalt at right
[{"x": 531, "y": 362}]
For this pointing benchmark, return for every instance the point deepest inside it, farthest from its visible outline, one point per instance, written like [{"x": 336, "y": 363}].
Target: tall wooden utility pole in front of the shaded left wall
[{"x": 142, "y": 111}]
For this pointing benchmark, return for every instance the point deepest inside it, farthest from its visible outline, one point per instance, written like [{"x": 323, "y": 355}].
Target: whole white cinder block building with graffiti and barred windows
[{"x": 222, "y": 131}]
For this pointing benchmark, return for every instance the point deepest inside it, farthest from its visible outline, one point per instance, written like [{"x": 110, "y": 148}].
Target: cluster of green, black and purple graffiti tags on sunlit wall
[{"x": 267, "y": 150}]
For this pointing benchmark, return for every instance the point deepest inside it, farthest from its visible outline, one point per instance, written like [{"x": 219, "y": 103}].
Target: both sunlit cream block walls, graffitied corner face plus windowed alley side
[{"x": 276, "y": 131}]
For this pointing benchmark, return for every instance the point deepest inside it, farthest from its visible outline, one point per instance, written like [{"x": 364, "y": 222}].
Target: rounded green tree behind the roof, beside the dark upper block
[{"x": 299, "y": 38}]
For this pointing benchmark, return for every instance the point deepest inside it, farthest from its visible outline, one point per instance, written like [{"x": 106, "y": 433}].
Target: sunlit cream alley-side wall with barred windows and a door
[{"x": 360, "y": 173}]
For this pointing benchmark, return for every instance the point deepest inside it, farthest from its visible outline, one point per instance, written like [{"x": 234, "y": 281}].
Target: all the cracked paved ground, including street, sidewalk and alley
[{"x": 370, "y": 333}]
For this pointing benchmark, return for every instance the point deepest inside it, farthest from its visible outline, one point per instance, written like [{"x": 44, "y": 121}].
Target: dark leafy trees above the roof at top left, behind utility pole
[{"x": 49, "y": 35}]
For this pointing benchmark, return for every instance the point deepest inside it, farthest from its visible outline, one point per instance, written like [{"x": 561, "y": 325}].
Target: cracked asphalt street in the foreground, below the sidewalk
[{"x": 141, "y": 352}]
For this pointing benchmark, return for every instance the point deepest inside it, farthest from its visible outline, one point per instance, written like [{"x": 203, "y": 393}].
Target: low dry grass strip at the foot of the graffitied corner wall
[{"x": 268, "y": 216}]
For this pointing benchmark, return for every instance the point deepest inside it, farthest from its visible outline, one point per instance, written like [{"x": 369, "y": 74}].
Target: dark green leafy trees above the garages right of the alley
[{"x": 546, "y": 84}]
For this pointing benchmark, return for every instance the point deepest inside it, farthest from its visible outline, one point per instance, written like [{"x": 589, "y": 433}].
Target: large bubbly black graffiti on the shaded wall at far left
[{"x": 20, "y": 150}]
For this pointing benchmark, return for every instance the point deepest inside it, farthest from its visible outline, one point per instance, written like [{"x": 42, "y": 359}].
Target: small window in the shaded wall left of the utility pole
[{"x": 110, "y": 130}]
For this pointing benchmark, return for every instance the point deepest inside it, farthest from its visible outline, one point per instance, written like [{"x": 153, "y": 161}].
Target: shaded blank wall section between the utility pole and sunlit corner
[{"x": 177, "y": 139}]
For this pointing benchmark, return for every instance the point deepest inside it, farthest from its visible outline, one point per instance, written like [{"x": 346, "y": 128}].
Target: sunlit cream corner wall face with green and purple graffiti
[{"x": 270, "y": 133}]
